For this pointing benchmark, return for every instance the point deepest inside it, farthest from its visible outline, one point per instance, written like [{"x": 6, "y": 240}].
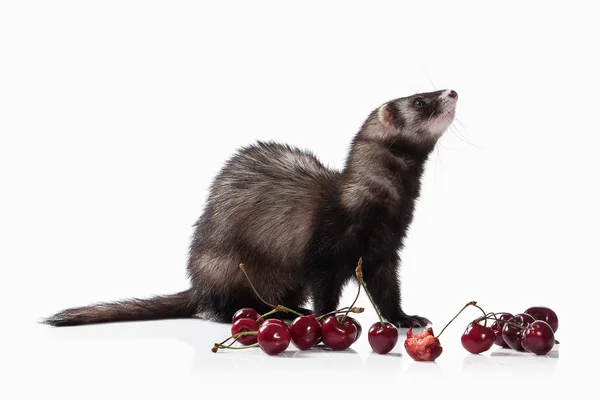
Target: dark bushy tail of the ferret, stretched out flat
[{"x": 179, "y": 305}]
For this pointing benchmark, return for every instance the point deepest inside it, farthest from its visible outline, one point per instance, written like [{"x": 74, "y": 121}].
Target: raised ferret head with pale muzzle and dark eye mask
[{"x": 420, "y": 118}]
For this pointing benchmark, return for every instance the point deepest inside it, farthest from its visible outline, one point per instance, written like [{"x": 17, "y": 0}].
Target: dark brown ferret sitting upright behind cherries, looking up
[{"x": 299, "y": 227}]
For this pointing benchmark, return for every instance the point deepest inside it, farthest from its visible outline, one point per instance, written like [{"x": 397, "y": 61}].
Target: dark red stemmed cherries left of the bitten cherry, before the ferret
[{"x": 336, "y": 330}]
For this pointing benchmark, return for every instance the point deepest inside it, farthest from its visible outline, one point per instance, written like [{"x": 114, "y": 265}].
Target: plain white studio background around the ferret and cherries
[{"x": 116, "y": 115}]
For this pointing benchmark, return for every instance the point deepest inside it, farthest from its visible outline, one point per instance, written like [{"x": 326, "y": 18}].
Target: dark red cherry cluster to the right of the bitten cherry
[{"x": 531, "y": 331}]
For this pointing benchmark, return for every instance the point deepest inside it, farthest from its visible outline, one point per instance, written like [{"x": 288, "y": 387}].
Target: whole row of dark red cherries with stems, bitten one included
[{"x": 530, "y": 331}]
